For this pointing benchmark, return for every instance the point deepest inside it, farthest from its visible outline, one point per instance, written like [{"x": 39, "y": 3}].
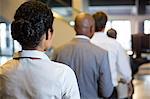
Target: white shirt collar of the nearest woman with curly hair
[{"x": 32, "y": 54}]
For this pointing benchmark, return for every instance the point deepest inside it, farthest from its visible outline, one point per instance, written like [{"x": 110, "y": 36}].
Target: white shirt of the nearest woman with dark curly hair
[{"x": 31, "y": 75}]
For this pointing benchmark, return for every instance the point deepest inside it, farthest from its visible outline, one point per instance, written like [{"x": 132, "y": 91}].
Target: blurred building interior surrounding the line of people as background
[{"x": 130, "y": 18}]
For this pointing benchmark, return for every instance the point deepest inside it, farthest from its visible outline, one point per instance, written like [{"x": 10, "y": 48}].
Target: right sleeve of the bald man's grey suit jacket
[{"x": 105, "y": 82}]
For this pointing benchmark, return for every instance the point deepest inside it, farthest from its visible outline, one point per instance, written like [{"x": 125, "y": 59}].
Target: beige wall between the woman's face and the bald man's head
[{"x": 62, "y": 32}]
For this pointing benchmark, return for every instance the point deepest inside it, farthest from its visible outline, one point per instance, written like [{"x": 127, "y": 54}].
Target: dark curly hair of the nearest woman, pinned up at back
[{"x": 31, "y": 21}]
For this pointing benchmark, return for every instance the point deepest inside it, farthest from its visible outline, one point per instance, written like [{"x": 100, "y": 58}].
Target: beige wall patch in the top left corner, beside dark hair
[{"x": 8, "y": 8}]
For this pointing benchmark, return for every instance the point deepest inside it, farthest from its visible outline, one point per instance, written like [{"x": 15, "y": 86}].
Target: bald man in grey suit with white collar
[{"x": 89, "y": 62}]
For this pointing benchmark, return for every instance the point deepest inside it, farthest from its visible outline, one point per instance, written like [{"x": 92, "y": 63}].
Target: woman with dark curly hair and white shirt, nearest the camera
[{"x": 30, "y": 74}]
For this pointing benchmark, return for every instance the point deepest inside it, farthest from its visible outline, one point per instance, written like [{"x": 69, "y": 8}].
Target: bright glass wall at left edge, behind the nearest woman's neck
[{"x": 7, "y": 45}]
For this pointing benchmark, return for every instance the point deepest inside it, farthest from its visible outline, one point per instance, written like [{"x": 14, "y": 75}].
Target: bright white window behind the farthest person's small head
[{"x": 123, "y": 28}]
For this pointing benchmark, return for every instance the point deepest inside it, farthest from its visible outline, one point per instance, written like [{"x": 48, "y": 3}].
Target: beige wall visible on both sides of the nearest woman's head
[{"x": 62, "y": 31}]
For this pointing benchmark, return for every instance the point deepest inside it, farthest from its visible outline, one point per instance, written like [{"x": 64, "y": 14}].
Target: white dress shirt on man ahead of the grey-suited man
[{"x": 118, "y": 59}]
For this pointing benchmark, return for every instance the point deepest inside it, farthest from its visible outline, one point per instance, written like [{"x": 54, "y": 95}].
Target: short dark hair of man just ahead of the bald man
[{"x": 100, "y": 20}]
